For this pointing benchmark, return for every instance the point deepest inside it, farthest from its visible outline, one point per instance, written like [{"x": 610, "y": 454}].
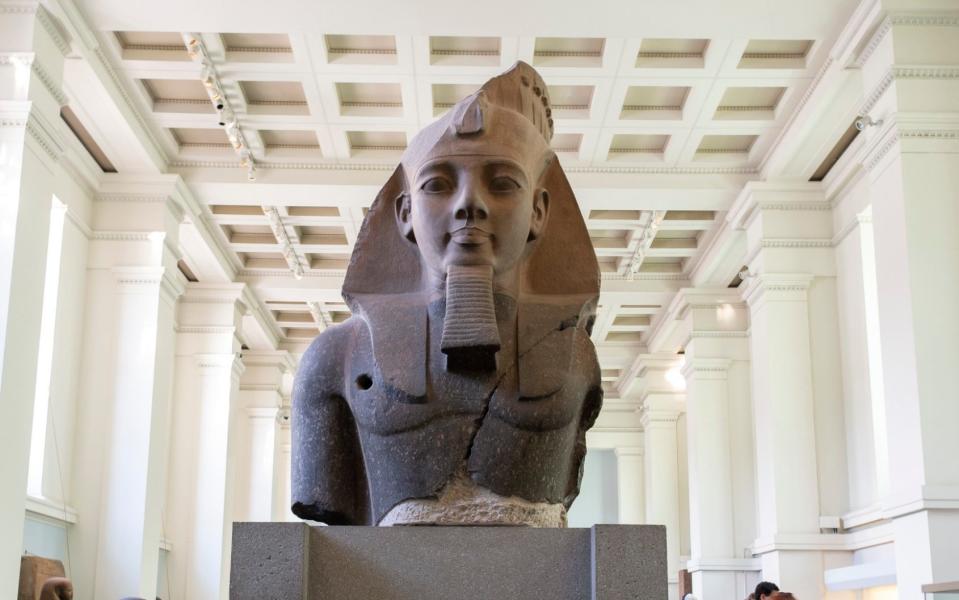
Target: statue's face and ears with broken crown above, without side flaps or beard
[{"x": 474, "y": 182}]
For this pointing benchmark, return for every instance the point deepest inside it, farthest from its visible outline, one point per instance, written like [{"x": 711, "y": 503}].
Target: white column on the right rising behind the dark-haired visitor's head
[{"x": 785, "y": 429}]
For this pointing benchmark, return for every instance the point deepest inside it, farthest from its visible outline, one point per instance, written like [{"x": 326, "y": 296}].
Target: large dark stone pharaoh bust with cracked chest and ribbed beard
[{"x": 461, "y": 389}]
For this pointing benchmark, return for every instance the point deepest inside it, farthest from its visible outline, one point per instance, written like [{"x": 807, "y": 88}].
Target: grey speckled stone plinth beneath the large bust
[{"x": 294, "y": 561}]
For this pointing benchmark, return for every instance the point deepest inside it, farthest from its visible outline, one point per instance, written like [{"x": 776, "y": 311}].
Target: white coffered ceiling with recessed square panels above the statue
[{"x": 661, "y": 114}]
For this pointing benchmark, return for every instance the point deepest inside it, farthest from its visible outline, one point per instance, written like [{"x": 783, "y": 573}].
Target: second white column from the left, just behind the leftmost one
[{"x": 121, "y": 450}]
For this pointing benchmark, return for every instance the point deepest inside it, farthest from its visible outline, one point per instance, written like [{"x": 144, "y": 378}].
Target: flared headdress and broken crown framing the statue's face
[{"x": 510, "y": 115}]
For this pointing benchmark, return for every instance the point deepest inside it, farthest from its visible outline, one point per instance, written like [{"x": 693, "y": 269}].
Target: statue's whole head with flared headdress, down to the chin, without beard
[{"x": 476, "y": 188}]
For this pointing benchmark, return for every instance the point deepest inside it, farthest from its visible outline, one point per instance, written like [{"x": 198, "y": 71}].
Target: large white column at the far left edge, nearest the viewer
[{"x": 31, "y": 67}]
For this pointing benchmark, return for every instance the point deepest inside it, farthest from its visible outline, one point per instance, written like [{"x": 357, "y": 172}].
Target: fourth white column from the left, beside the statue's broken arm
[{"x": 261, "y": 399}]
